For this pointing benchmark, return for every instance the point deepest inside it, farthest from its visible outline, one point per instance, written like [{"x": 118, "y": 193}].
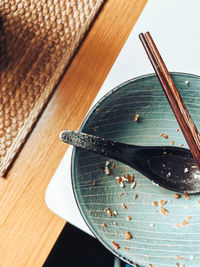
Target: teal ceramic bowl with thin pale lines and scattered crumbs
[{"x": 139, "y": 222}]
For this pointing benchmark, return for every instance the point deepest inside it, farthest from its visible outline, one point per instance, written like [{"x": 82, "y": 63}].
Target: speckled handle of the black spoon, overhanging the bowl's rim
[{"x": 109, "y": 148}]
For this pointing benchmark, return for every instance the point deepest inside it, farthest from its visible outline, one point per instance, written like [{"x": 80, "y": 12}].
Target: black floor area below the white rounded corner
[{"x": 75, "y": 248}]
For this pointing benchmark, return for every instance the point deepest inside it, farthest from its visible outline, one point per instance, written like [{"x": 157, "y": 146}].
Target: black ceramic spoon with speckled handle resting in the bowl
[{"x": 169, "y": 167}]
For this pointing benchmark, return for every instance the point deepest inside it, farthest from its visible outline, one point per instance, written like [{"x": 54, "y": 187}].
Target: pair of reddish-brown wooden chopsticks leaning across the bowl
[{"x": 181, "y": 113}]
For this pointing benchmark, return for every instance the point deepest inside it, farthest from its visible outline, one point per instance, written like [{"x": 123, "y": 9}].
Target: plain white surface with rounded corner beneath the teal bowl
[{"x": 174, "y": 26}]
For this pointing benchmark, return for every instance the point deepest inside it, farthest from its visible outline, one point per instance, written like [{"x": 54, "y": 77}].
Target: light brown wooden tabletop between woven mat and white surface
[{"x": 28, "y": 229}]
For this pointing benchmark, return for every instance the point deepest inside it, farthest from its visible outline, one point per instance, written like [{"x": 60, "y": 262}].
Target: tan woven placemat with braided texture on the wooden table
[{"x": 37, "y": 40}]
